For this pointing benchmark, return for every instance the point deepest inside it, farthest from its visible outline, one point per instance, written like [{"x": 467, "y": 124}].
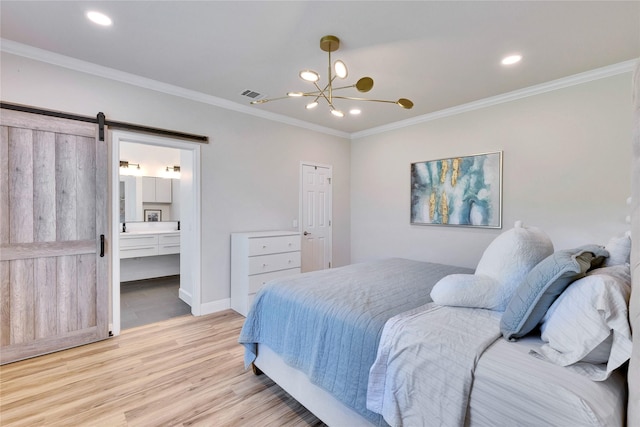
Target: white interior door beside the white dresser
[{"x": 316, "y": 217}]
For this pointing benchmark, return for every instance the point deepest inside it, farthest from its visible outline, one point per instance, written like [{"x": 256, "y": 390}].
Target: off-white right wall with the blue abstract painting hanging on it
[{"x": 566, "y": 170}]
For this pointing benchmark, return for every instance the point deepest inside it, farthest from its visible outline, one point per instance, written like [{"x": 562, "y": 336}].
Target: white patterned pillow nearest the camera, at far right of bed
[{"x": 587, "y": 326}]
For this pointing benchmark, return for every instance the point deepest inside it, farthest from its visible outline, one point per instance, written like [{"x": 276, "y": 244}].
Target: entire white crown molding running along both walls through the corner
[{"x": 42, "y": 55}]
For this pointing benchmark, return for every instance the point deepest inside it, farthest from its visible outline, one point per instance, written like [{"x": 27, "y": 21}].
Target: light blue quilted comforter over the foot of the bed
[{"x": 328, "y": 323}]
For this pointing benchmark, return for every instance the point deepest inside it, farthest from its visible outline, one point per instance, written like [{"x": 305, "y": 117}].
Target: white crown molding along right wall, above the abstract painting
[{"x": 576, "y": 79}]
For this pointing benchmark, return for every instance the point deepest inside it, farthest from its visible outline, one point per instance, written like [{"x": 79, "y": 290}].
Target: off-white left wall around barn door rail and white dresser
[{"x": 250, "y": 168}]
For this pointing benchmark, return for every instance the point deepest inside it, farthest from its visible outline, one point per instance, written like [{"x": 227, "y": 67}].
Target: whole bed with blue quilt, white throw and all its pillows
[{"x": 350, "y": 344}]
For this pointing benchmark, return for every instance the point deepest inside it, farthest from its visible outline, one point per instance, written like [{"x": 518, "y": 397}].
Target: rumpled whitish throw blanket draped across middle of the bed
[{"x": 425, "y": 362}]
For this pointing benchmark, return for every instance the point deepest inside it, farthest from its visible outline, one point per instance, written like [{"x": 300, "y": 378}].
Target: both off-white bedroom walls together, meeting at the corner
[{"x": 566, "y": 165}]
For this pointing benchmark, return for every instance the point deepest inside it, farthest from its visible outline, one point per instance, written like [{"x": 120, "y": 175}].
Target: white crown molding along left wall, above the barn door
[{"x": 19, "y": 49}]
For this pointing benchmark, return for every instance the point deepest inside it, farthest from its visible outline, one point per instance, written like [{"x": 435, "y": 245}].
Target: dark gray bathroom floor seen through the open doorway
[{"x": 149, "y": 301}]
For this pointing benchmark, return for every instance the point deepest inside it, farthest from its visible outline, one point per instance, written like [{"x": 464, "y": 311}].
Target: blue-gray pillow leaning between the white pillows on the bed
[{"x": 544, "y": 283}]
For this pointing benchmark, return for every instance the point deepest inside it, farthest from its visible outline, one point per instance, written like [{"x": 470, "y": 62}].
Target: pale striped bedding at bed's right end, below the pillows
[{"x": 511, "y": 387}]
